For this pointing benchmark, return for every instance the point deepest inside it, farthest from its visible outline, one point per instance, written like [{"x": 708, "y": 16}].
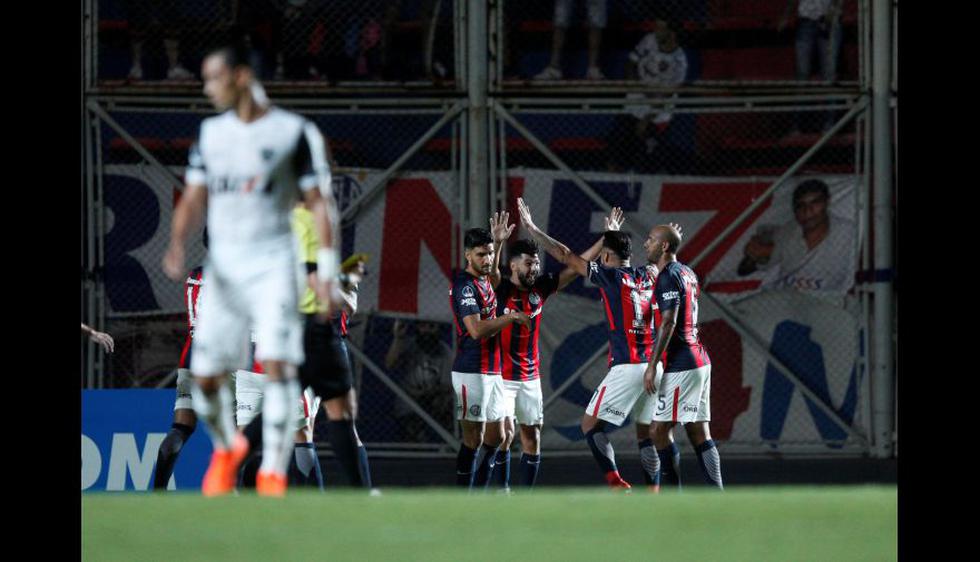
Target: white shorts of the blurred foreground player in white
[{"x": 265, "y": 301}]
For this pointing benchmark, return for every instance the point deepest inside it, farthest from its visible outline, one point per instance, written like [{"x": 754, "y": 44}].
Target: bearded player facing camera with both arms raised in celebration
[{"x": 527, "y": 290}]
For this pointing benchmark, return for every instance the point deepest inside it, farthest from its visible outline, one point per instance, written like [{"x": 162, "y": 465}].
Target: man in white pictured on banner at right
[{"x": 815, "y": 252}]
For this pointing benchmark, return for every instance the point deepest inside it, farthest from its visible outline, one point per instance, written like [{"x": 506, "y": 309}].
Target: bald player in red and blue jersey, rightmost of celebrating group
[{"x": 684, "y": 390}]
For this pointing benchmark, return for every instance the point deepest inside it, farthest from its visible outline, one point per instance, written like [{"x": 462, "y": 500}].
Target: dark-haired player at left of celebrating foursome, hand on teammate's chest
[{"x": 477, "y": 383}]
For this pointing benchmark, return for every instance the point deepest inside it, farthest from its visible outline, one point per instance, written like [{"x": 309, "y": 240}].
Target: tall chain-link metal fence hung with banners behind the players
[{"x": 791, "y": 344}]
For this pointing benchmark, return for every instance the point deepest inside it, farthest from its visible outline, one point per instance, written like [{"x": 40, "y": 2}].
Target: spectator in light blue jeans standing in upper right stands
[{"x": 817, "y": 26}]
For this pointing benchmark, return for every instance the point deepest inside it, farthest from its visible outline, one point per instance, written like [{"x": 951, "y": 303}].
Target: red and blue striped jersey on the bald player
[{"x": 677, "y": 288}]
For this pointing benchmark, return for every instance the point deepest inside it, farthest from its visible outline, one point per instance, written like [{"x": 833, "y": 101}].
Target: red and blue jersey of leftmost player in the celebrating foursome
[{"x": 470, "y": 295}]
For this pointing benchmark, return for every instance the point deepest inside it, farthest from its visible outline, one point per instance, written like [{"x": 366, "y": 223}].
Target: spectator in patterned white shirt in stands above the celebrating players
[{"x": 638, "y": 140}]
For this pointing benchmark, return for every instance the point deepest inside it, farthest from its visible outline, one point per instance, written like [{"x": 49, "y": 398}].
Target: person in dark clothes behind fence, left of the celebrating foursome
[{"x": 425, "y": 364}]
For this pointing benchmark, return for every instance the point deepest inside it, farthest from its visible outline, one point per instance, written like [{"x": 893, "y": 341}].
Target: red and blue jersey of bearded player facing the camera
[{"x": 519, "y": 348}]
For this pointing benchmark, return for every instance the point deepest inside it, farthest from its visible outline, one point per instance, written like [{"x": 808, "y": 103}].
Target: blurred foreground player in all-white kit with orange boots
[{"x": 245, "y": 170}]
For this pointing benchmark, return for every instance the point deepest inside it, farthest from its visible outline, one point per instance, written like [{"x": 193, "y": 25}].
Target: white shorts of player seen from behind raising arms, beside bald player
[{"x": 621, "y": 393}]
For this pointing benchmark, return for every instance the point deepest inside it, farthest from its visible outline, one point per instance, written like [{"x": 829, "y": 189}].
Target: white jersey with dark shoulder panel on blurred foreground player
[{"x": 254, "y": 173}]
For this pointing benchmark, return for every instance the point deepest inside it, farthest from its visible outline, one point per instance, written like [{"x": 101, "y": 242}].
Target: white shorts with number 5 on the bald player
[{"x": 685, "y": 396}]
